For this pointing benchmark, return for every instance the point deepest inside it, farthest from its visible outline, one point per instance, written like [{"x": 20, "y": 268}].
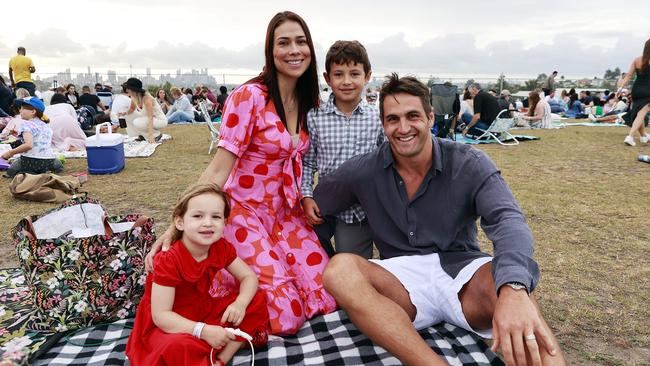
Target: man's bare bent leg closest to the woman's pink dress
[{"x": 379, "y": 306}]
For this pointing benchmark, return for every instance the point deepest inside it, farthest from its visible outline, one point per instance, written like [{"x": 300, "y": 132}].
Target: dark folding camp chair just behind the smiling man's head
[{"x": 446, "y": 106}]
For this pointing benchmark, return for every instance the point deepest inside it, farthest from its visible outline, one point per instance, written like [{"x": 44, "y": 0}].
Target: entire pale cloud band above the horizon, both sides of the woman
[{"x": 454, "y": 53}]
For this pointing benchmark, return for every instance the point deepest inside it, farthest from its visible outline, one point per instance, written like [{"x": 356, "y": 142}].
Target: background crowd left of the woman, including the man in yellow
[{"x": 73, "y": 115}]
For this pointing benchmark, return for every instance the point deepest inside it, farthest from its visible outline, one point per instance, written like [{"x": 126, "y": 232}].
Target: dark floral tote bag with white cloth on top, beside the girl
[{"x": 82, "y": 267}]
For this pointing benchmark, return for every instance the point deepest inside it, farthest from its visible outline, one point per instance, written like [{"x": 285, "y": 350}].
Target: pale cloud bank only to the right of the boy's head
[{"x": 459, "y": 54}]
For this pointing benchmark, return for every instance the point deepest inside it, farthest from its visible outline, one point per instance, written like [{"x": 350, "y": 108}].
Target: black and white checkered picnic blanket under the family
[{"x": 329, "y": 339}]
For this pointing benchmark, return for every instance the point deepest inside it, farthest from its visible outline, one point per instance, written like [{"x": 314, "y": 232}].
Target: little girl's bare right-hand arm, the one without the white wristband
[{"x": 247, "y": 289}]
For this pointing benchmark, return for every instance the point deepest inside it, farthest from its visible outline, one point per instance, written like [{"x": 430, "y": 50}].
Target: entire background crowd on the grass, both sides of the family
[{"x": 182, "y": 105}]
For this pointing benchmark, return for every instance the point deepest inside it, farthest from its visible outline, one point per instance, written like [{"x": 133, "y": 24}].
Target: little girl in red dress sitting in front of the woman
[{"x": 182, "y": 315}]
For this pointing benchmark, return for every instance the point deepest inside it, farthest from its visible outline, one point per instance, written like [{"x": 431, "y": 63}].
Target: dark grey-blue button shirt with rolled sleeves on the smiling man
[{"x": 462, "y": 185}]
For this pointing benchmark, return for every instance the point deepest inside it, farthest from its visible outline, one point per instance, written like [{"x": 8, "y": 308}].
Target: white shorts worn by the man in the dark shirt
[{"x": 432, "y": 291}]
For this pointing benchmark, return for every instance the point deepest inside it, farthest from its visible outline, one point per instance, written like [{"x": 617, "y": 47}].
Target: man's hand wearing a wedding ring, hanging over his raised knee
[{"x": 518, "y": 328}]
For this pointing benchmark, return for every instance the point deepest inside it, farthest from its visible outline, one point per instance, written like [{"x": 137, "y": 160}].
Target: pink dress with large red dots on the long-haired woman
[{"x": 267, "y": 224}]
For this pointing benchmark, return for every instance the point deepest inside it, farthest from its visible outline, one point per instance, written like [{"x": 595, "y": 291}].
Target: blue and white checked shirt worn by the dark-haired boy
[{"x": 335, "y": 138}]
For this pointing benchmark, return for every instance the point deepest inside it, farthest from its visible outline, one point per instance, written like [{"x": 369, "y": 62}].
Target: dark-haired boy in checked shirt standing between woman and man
[{"x": 342, "y": 127}]
